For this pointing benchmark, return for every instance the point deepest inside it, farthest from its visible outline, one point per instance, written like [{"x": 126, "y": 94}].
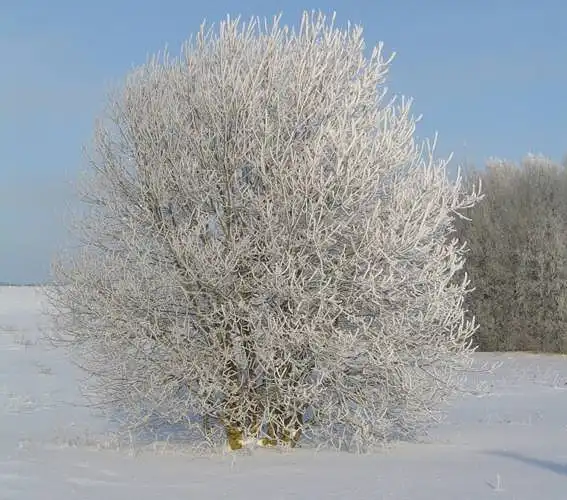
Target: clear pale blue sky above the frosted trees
[{"x": 490, "y": 76}]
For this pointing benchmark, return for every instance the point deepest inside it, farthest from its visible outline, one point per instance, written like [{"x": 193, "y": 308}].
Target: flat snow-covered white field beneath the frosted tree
[{"x": 510, "y": 443}]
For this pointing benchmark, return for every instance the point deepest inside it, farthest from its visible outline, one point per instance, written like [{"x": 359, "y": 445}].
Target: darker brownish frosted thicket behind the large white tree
[{"x": 518, "y": 256}]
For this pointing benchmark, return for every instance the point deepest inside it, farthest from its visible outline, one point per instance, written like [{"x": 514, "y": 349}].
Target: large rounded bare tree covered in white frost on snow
[{"x": 266, "y": 249}]
